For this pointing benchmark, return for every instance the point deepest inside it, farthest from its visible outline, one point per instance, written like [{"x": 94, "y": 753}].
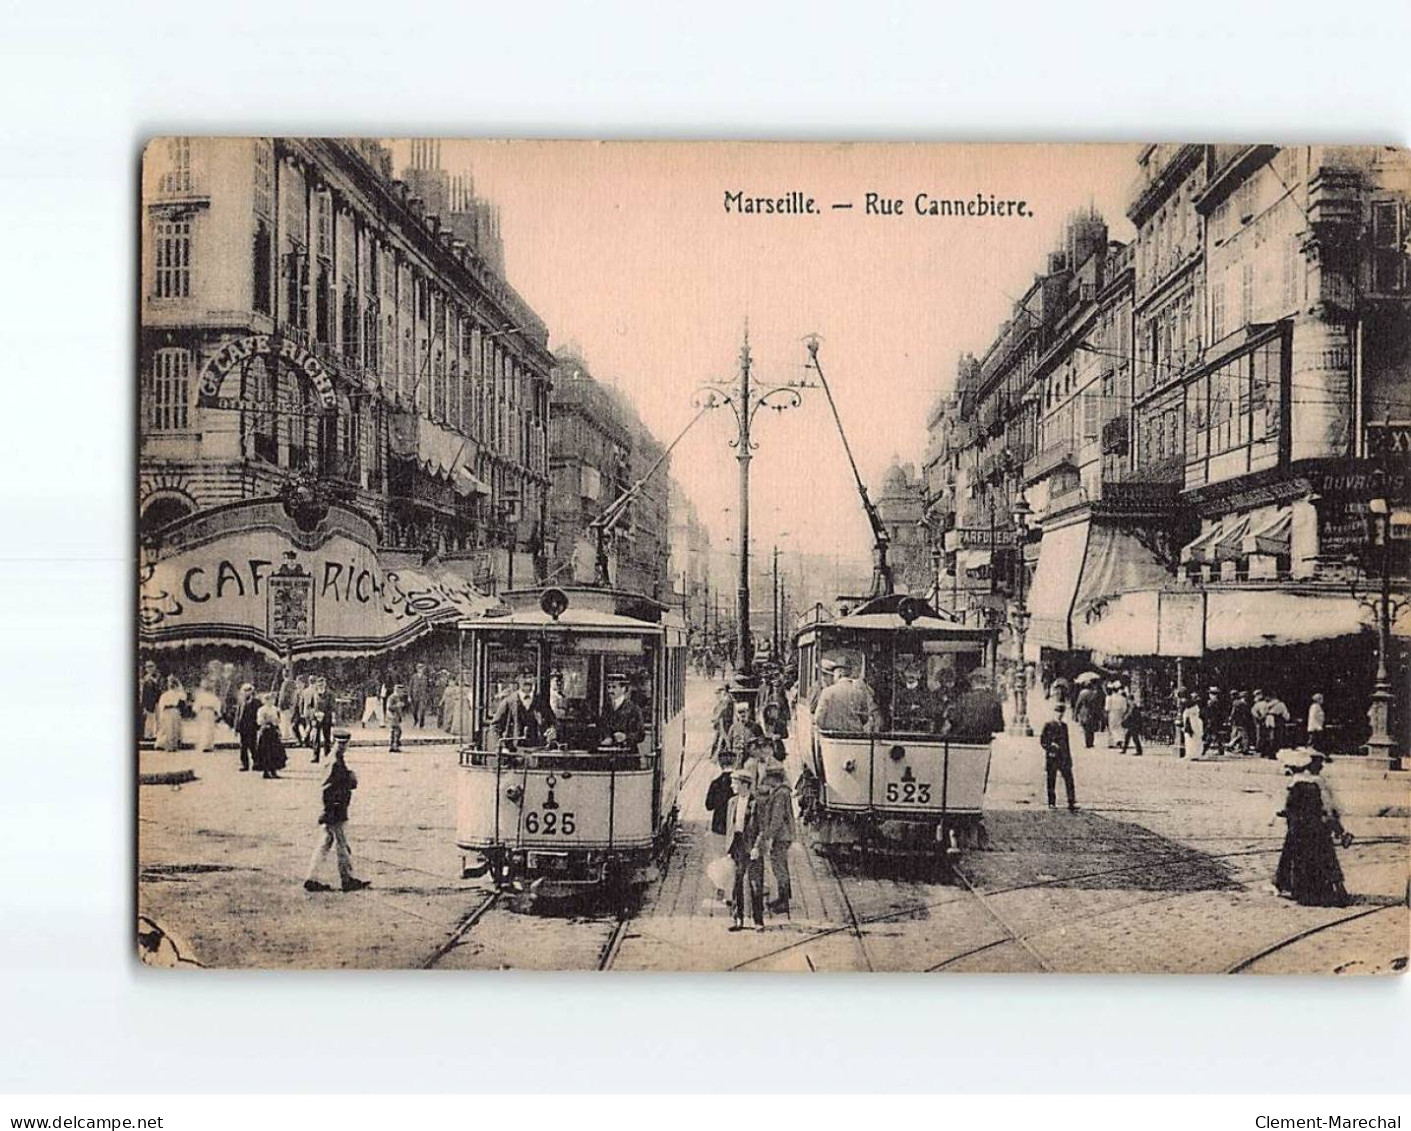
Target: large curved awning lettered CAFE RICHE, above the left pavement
[{"x": 248, "y": 575}]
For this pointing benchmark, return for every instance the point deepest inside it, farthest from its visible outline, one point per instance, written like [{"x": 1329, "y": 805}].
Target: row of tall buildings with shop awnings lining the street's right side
[{"x": 1206, "y": 427}]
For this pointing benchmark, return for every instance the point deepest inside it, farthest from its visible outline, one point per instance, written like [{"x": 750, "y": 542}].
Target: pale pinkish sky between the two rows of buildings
[{"x": 627, "y": 250}]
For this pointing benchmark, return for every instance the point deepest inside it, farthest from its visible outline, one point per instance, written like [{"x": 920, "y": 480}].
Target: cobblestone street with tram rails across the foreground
[{"x": 1165, "y": 868}]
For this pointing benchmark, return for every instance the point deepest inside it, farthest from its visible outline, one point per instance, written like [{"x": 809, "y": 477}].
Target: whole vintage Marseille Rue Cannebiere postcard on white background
[{"x": 791, "y": 558}]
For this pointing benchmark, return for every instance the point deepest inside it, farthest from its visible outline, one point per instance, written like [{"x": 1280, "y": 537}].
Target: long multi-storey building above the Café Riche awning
[{"x": 310, "y": 328}]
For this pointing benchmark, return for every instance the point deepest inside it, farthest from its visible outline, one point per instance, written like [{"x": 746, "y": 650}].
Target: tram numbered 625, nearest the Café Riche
[{"x": 579, "y": 805}]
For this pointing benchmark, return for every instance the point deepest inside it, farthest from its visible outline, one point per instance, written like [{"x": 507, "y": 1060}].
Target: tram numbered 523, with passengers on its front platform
[{"x": 894, "y": 783}]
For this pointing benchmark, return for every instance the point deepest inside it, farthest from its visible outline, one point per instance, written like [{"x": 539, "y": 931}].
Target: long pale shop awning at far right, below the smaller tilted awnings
[{"x": 1269, "y": 618}]
